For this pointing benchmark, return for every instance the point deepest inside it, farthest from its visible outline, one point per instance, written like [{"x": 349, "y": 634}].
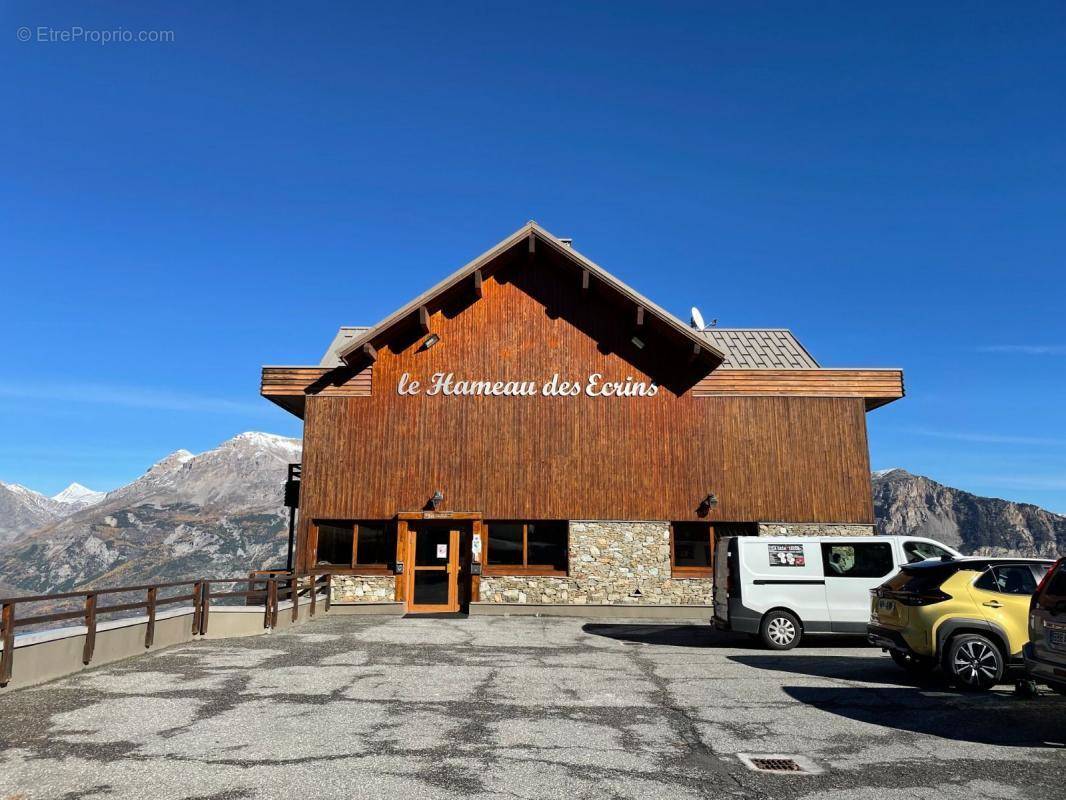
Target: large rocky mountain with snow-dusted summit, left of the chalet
[{"x": 216, "y": 515}]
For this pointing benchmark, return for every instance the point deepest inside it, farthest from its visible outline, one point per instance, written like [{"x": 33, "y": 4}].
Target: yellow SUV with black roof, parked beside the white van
[{"x": 970, "y": 617}]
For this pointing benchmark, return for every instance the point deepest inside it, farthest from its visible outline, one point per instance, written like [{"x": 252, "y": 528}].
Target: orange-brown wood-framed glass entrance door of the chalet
[{"x": 434, "y": 557}]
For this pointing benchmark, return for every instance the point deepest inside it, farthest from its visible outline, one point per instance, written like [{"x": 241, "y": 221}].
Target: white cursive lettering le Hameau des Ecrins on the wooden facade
[{"x": 448, "y": 386}]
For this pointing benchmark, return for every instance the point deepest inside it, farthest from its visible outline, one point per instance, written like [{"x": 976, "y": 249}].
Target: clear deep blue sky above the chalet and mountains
[{"x": 889, "y": 182}]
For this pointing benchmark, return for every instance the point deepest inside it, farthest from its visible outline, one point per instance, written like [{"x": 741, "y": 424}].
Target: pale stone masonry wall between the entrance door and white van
[{"x": 609, "y": 562}]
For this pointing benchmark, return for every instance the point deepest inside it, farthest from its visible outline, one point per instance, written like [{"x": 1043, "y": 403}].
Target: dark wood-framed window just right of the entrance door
[{"x": 527, "y": 549}]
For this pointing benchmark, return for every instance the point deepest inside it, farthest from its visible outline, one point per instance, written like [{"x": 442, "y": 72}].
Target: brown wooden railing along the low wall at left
[{"x": 267, "y": 588}]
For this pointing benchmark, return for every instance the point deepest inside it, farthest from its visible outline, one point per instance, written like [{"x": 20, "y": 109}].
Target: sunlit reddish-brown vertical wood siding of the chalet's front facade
[{"x": 787, "y": 458}]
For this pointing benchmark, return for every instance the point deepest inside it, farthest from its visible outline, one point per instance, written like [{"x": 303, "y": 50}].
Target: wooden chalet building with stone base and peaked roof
[{"x": 531, "y": 434}]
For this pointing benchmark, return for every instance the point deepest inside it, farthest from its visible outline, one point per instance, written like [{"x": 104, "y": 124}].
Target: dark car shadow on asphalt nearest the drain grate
[{"x": 988, "y": 718}]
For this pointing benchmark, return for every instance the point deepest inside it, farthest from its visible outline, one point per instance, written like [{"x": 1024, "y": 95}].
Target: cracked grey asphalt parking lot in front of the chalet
[{"x": 521, "y": 708}]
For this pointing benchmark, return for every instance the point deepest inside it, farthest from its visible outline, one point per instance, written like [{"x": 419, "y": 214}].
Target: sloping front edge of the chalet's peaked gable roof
[{"x": 531, "y": 232}]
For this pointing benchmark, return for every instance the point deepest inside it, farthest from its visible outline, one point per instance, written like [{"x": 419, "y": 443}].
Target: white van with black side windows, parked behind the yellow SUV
[{"x": 779, "y": 588}]
